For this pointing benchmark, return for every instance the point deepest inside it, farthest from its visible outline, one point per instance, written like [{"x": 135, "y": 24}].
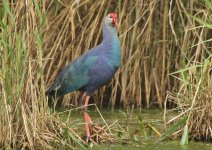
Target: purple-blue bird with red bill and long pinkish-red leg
[{"x": 93, "y": 69}]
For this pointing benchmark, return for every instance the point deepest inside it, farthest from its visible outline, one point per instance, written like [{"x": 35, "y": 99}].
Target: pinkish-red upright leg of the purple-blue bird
[{"x": 87, "y": 118}]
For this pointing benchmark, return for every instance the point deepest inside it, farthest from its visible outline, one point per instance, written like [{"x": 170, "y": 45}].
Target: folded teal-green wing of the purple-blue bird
[{"x": 74, "y": 76}]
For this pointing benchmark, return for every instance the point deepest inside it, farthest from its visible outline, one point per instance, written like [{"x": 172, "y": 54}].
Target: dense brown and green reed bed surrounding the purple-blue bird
[{"x": 158, "y": 38}]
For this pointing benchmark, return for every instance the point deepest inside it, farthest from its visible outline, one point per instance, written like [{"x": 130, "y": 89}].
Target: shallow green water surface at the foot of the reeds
[{"x": 128, "y": 120}]
